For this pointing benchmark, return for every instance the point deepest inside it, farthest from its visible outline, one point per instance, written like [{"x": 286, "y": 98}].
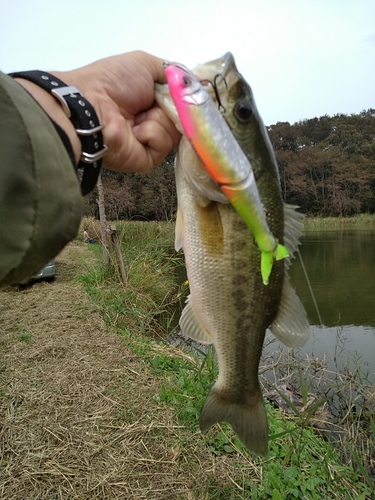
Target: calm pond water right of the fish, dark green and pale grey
[{"x": 340, "y": 266}]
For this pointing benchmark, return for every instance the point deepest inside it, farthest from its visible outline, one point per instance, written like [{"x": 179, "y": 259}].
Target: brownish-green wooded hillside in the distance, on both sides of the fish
[{"x": 327, "y": 167}]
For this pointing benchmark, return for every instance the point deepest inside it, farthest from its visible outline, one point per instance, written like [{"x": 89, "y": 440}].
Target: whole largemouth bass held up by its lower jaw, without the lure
[{"x": 229, "y": 306}]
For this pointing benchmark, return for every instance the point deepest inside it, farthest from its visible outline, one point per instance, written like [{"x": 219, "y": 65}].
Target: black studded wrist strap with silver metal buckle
[{"x": 84, "y": 119}]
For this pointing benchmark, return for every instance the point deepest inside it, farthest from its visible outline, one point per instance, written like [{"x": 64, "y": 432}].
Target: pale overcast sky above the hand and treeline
[{"x": 303, "y": 58}]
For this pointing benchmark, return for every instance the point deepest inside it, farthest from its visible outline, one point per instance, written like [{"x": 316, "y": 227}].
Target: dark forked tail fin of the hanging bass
[{"x": 249, "y": 422}]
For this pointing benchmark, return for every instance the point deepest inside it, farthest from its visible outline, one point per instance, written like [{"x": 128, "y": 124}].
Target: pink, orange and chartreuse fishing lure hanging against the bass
[{"x": 222, "y": 158}]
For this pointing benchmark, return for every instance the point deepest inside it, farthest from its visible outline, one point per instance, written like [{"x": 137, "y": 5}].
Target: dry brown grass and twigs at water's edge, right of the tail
[{"x": 343, "y": 400}]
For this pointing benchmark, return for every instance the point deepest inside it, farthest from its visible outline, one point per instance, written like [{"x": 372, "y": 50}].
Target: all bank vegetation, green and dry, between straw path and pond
[{"x": 310, "y": 456}]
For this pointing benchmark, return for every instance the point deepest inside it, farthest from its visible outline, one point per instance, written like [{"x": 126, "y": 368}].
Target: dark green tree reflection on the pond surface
[{"x": 341, "y": 268}]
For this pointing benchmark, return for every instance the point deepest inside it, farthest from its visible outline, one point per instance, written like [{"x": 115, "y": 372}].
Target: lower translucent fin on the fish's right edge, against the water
[{"x": 291, "y": 325}]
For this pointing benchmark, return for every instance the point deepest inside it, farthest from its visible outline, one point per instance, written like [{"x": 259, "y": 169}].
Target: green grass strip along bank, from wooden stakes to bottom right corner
[{"x": 301, "y": 464}]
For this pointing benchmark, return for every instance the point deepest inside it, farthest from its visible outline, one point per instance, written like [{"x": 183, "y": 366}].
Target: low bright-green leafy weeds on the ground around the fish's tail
[{"x": 300, "y": 464}]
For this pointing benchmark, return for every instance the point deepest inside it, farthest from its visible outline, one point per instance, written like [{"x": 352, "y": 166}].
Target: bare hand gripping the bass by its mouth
[{"x": 121, "y": 89}]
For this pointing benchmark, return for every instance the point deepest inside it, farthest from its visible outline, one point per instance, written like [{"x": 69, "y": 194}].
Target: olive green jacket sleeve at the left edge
[{"x": 40, "y": 199}]
